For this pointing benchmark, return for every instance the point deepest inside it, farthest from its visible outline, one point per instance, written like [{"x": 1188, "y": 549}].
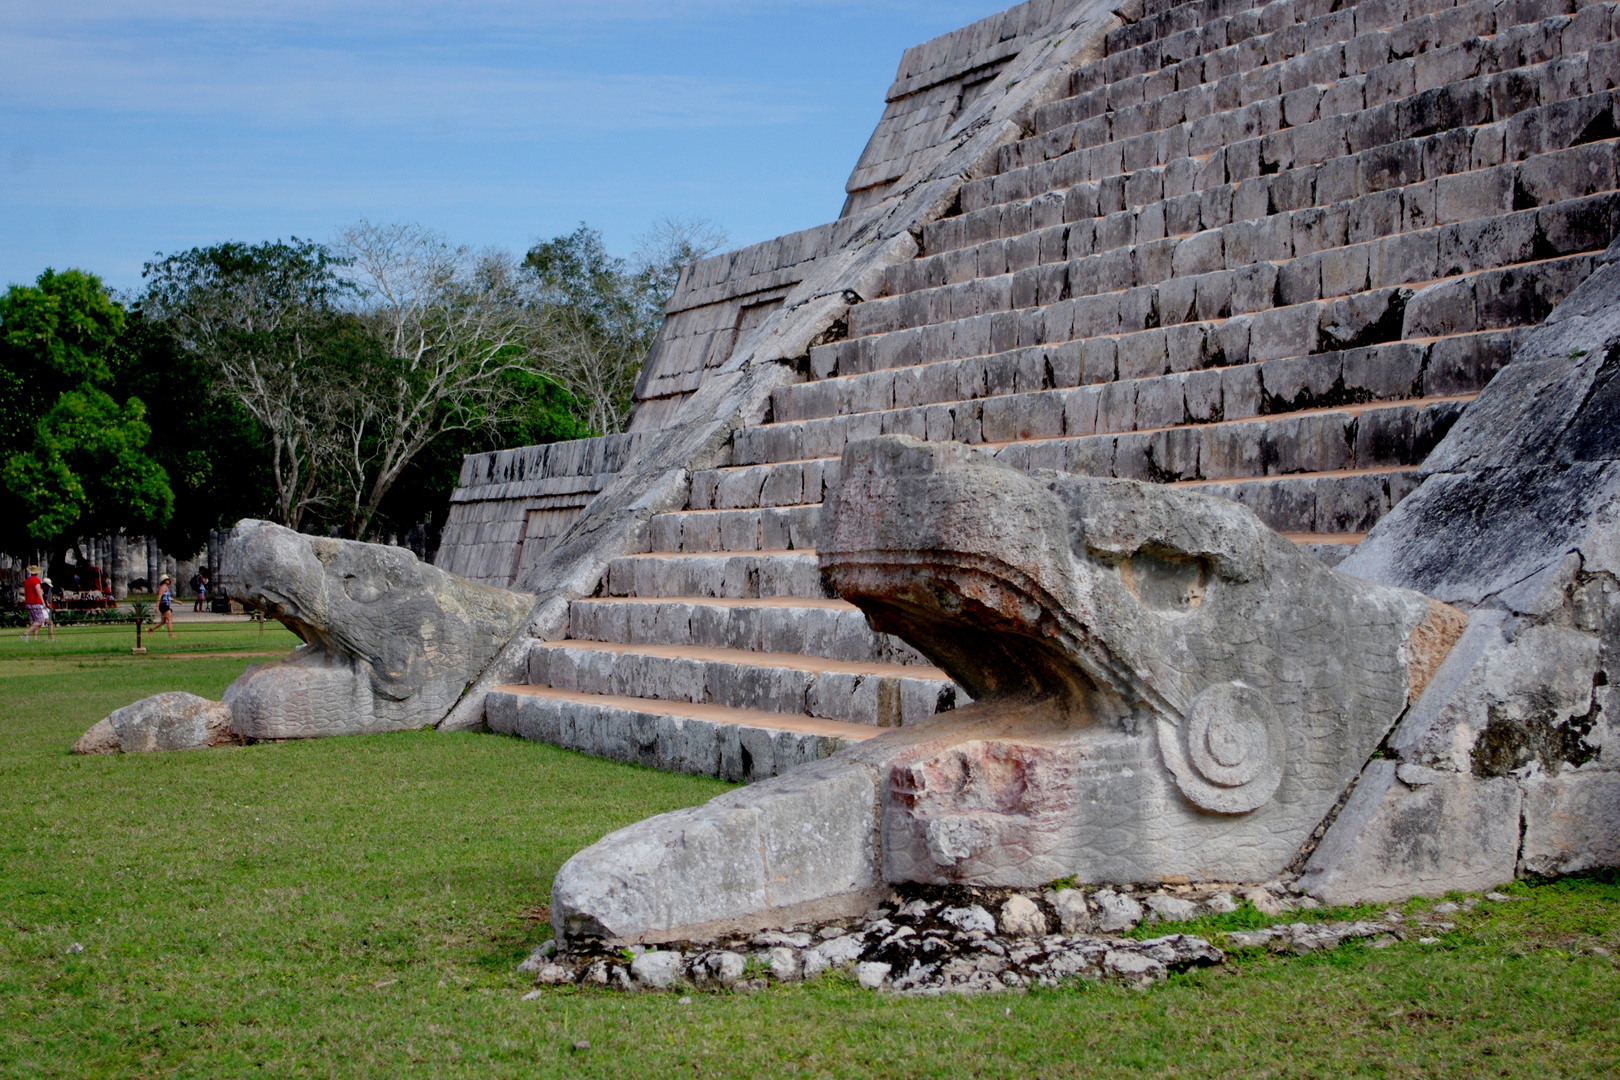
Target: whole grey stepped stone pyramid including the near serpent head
[{"x": 1192, "y": 457}]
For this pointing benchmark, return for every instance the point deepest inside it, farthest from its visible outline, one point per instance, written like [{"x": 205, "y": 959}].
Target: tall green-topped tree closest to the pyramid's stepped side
[{"x": 602, "y": 313}]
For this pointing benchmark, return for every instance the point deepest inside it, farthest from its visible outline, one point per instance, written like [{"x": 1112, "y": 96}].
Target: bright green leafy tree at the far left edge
[{"x": 75, "y": 461}]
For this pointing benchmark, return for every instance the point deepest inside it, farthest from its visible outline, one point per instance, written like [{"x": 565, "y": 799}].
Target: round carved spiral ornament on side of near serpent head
[{"x": 1229, "y": 752}]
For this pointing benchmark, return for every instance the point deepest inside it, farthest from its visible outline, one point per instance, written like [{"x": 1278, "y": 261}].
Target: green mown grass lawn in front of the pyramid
[{"x": 357, "y": 908}]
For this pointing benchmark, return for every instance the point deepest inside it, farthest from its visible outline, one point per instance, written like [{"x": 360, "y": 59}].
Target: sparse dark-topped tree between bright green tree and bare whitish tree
[{"x": 266, "y": 323}]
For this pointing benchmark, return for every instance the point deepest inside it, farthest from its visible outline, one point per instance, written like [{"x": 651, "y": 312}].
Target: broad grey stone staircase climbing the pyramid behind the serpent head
[{"x": 1269, "y": 253}]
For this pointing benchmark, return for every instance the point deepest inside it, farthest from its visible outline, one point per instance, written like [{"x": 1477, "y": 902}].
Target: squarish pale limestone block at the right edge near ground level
[{"x": 1572, "y": 822}]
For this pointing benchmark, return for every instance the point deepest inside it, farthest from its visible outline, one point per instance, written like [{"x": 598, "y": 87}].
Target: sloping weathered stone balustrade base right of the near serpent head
[{"x": 1511, "y": 760}]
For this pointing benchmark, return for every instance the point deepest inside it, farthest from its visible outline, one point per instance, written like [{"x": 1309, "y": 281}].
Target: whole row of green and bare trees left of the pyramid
[{"x": 331, "y": 388}]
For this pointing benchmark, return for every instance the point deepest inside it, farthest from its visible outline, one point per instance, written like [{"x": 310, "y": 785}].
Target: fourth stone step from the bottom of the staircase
[{"x": 741, "y": 576}]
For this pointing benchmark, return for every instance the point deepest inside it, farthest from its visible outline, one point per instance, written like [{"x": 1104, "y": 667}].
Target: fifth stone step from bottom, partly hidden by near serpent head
[{"x": 1339, "y": 501}]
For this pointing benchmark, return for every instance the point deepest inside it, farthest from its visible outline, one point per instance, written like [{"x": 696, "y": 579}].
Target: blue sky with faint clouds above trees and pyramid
[{"x": 129, "y": 129}]
